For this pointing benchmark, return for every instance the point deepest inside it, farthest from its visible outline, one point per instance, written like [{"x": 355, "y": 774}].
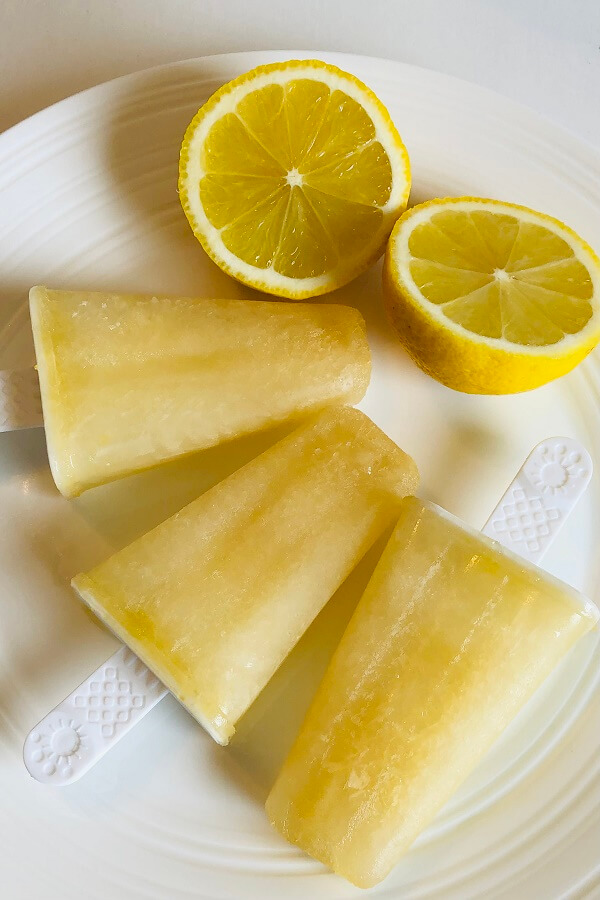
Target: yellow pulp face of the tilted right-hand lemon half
[{"x": 500, "y": 277}]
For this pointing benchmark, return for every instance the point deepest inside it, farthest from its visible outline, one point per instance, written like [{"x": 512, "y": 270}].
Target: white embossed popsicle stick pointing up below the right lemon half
[{"x": 538, "y": 501}]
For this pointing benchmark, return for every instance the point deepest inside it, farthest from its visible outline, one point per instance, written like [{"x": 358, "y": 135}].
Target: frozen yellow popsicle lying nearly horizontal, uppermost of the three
[{"x": 130, "y": 381}]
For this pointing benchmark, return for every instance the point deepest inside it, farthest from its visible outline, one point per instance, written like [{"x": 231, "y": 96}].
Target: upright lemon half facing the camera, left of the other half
[{"x": 292, "y": 177}]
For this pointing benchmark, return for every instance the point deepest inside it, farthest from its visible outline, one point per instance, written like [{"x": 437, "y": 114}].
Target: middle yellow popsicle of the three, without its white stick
[{"x": 214, "y": 599}]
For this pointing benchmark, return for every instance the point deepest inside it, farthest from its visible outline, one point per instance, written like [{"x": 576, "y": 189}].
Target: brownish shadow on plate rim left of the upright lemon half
[{"x": 141, "y": 152}]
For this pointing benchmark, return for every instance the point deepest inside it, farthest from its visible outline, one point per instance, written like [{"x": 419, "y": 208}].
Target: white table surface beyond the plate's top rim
[{"x": 543, "y": 53}]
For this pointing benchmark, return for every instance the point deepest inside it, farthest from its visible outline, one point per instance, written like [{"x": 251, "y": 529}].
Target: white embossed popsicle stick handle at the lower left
[{"x": 80, "y": 730}]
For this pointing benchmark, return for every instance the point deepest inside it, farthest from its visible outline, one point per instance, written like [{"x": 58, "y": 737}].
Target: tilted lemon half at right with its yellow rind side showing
[{"x": 490, "y": 297}]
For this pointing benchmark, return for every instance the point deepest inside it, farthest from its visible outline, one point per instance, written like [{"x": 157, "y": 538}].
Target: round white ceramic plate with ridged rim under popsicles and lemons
[{"x": 88, "y": 199}]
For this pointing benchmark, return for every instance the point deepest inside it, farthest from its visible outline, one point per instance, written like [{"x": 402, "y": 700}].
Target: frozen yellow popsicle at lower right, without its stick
[{"x": 452, "y": 636}]
